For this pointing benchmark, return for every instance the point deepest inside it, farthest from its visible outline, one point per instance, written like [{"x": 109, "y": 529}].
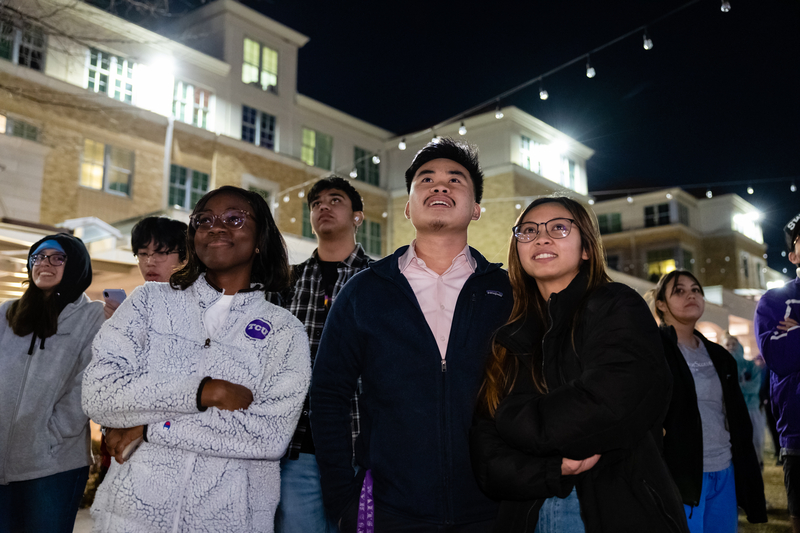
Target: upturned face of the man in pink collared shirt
[{"x": 442, "y": 198}]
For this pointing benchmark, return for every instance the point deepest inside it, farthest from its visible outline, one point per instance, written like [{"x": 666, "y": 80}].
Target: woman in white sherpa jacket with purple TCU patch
[{"x": 209, "y": 374}]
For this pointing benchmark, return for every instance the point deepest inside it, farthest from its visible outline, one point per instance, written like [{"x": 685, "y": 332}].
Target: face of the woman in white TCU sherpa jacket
[{"x": 223, "y": 249}]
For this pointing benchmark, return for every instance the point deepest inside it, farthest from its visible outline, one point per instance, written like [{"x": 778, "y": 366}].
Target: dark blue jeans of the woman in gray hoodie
[{"x": 44, "y": 504}]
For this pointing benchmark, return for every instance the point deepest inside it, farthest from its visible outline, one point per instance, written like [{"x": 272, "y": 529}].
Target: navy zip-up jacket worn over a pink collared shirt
[{"x": 415, "y": 411}]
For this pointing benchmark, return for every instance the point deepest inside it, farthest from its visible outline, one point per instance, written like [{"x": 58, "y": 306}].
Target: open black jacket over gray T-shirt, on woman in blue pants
[{"x": 683, "y": 441}]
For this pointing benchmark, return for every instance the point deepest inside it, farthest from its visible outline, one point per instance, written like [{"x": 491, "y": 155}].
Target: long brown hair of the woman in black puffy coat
[{"x": 502, "y": 369}]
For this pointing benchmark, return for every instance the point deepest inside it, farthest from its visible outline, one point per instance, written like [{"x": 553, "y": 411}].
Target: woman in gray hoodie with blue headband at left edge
[{"x": 45, "y": 344}]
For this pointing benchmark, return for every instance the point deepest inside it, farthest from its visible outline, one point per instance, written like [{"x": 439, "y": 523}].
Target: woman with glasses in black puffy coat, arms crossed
[{"x": 567, "y": 433}]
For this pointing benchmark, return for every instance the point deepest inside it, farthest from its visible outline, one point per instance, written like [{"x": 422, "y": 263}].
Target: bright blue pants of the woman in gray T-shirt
[{"x": 717, "y": 511}]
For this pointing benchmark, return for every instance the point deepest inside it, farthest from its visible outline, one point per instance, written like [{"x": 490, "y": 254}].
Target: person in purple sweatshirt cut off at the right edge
[{"x": 777, "y": 328}]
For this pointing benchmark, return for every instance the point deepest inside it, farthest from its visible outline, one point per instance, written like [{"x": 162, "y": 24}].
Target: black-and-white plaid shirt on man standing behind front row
[{"x": 306, "y": 301}]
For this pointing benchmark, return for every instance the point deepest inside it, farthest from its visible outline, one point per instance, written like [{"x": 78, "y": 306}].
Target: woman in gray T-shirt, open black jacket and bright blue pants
[{"x": 708, "y": 444}]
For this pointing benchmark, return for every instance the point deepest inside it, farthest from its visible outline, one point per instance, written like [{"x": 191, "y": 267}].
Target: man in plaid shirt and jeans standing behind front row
[{"x": 336, "y": 212}]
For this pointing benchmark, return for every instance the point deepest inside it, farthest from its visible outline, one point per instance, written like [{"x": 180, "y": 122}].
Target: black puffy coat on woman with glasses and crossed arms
[{"x": 608, "y": 393}]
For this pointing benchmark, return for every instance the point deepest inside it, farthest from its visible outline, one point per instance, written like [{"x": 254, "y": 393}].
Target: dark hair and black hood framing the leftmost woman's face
[{"x": 37, "y": 312}]
